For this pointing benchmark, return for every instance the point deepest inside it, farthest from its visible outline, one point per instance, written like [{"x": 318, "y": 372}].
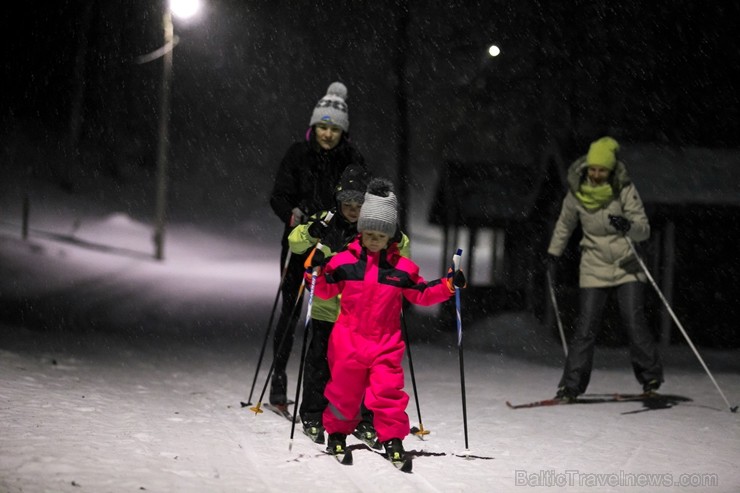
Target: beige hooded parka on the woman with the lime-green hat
[{"x": 606, "y": 258}]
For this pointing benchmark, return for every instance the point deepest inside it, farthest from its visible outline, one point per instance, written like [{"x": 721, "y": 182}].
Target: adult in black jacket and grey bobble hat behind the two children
[{"x": 304, "y": 185}]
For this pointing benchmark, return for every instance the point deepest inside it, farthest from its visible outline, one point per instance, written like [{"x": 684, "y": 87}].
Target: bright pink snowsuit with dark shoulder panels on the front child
[{"x": 365, "y": 347}]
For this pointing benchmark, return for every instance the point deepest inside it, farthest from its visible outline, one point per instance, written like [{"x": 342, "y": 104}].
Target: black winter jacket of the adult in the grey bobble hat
[{"x": 307, "y": 177}]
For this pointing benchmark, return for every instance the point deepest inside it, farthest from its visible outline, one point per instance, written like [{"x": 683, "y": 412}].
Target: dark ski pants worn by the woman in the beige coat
[{"x": 643, "y": 350}]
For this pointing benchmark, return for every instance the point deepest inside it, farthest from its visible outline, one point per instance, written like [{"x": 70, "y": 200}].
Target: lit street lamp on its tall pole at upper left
[{"x": 181, "y": 9}]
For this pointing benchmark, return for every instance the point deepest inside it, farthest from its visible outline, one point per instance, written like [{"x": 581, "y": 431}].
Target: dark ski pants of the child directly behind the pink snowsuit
[{"x": 316, "y": 375}]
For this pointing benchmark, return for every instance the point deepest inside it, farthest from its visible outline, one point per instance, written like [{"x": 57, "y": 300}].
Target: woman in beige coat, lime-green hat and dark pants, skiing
[{"x": 606, "y": 203}]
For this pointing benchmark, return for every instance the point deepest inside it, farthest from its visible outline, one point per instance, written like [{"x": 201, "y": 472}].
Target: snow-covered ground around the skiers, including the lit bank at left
[{"x": 119, "y": 373}]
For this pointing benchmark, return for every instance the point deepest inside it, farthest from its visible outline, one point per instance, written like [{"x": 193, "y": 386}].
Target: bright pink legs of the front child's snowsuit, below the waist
[{"x": 370, "y": 368}]
